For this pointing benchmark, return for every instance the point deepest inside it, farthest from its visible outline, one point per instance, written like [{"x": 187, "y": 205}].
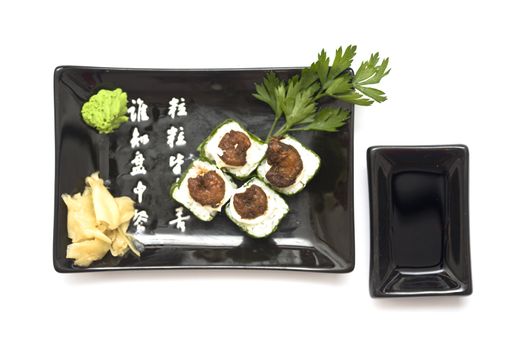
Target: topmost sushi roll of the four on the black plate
[{"x": 233, "y": 149}]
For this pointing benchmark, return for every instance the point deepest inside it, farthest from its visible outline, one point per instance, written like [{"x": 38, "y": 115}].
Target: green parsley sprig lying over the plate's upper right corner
[{"x": 297, "y": 98}]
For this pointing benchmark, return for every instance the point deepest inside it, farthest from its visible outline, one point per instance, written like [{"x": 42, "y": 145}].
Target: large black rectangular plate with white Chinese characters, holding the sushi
[{"x": 317, "y": 234}]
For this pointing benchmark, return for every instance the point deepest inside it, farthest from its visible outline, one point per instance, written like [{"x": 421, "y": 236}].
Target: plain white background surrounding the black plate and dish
[{"x": 457, "y": 77}]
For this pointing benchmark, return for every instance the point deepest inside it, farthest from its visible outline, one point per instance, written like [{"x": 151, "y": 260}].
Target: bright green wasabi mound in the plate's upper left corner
[{"x": 106, "y": 110}]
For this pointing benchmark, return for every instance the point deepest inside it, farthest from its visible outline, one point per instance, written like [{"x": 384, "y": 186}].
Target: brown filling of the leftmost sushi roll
[{"x": 207, "y": 189}]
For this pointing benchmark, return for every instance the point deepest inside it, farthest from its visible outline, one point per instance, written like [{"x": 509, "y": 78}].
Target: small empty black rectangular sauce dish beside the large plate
[{"x": 419, "y": 221}]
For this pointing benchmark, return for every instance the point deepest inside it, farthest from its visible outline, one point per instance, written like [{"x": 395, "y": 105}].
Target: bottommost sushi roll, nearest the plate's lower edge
[{"x": 256, "y": 208}]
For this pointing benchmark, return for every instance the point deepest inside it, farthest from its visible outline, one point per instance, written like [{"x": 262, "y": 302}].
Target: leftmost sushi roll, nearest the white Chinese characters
[{"x": 203, "y": 189}]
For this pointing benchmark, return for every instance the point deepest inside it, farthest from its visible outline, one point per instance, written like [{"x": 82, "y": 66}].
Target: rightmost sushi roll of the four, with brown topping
[{"x": 288, "y": 165}]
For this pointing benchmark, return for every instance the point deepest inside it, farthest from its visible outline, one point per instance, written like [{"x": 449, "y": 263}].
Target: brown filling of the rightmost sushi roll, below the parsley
[{"x": 286, "y": 163}]
